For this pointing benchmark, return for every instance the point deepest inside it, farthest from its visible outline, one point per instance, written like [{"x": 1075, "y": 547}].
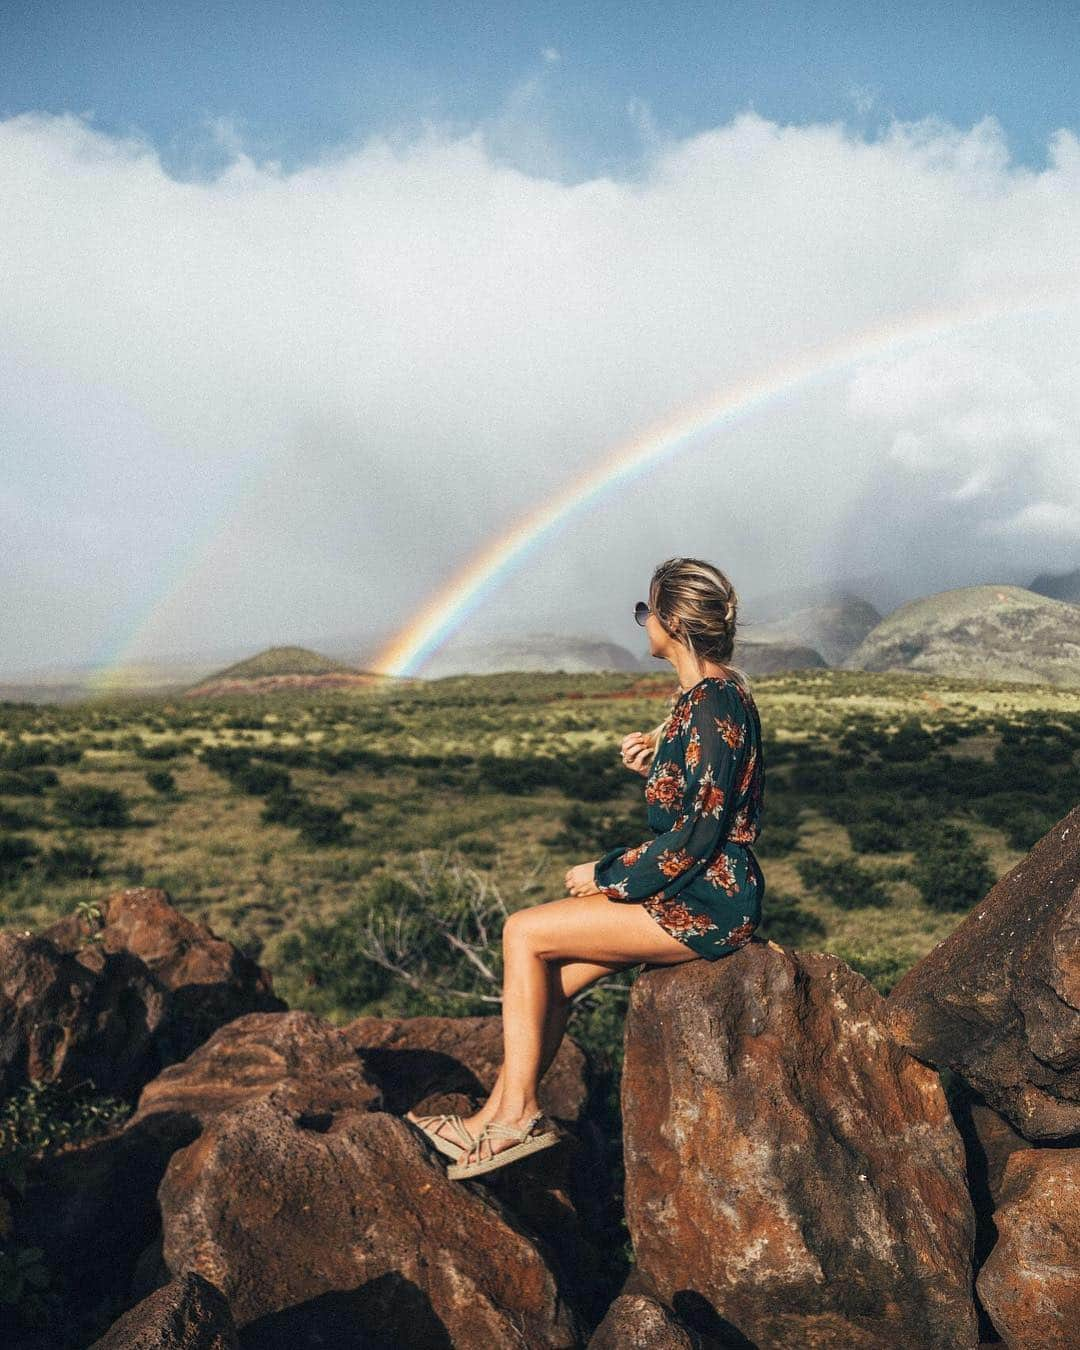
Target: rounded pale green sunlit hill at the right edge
[{"x": 978, "y": 632}]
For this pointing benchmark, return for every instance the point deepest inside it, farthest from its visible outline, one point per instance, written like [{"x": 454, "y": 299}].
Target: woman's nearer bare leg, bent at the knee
[{"x": 587, "y": 929}]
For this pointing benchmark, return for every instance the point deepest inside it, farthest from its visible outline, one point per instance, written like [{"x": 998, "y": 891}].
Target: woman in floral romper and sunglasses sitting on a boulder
[{"x": 693, "y": 890}]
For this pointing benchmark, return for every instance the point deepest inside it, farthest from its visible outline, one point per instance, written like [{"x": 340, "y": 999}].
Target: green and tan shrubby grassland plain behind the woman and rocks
[{"x": 367, "y": 844}]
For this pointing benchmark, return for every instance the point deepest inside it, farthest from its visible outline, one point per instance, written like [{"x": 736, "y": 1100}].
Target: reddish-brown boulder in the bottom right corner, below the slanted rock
[{"x": 1031, "y": 1282}]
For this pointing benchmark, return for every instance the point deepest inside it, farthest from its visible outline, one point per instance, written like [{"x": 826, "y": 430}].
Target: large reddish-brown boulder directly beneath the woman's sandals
[{"x": 349, "y": 1229}]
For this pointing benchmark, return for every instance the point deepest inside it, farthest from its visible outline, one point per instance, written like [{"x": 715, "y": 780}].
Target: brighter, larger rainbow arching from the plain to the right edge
[{"x": 470, "y": 587}]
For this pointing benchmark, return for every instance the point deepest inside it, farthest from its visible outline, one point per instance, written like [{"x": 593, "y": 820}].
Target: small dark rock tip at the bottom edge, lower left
[{"x": 188, "y": 1314}]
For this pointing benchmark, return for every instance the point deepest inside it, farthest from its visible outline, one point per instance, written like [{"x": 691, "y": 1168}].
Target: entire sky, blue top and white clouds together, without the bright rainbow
[{"x": 306, "y": 306}]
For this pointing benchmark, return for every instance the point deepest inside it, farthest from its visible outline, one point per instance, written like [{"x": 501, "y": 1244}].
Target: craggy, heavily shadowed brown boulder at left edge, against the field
[{"x": 118, "y": 1012}]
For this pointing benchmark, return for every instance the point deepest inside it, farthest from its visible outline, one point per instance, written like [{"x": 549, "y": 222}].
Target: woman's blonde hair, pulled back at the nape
[{"x": 700, "y": 600}]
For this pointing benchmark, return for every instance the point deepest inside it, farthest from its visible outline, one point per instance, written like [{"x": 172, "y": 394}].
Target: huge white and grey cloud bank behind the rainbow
[{"x": 264, "y": 406}]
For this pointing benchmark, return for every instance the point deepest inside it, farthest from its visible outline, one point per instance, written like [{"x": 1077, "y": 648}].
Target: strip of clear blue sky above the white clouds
[{"x": 299, "y": 78}]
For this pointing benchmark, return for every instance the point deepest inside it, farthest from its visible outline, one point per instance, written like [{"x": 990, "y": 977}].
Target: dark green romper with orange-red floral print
[{"x": 699, "y": 878}]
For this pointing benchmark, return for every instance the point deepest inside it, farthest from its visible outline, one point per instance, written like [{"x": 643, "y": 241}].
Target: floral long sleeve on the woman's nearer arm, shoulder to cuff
[{"x": 704, "y": 790}]
